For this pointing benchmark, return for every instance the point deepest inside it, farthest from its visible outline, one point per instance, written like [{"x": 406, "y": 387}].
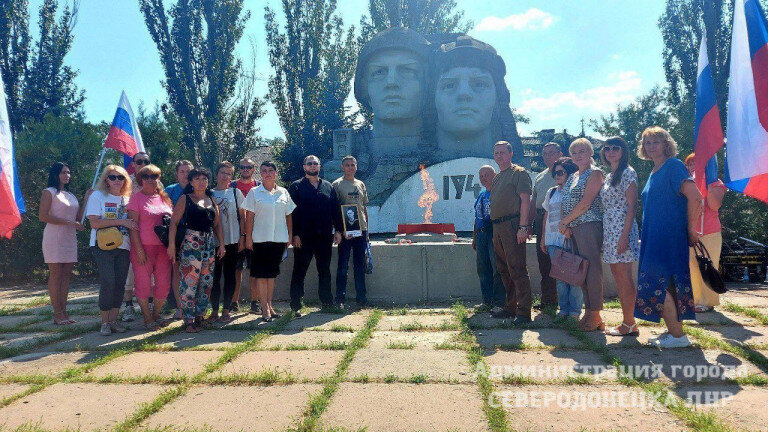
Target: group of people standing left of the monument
[{"x": 178, "y": 243}]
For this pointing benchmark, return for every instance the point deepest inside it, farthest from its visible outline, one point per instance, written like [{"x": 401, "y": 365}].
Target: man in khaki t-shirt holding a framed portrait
[{"x": 351, "y": 191}]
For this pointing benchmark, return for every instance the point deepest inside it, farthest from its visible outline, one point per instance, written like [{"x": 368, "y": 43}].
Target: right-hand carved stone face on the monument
[{"x": 464, "y": 99}]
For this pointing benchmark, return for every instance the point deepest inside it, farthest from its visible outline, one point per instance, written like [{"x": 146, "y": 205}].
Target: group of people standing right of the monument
[{"x": 575, "y": 206}]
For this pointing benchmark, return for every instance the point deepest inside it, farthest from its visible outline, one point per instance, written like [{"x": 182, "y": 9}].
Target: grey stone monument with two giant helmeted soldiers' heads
[{"x": 439, "y": 102}]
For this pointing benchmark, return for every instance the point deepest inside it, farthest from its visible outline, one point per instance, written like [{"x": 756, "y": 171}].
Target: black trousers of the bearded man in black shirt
[{"x": 319, "y": 246}]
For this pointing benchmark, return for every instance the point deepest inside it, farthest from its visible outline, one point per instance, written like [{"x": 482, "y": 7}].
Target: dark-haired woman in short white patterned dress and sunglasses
[{"x": 621, "y": 238}]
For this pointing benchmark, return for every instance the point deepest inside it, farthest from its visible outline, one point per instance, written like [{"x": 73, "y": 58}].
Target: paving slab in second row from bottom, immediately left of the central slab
[{"x": 303, "y": 364}]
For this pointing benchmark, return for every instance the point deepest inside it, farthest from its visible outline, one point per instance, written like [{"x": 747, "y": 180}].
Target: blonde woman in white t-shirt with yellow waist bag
[{"x": 106, "y": 208}]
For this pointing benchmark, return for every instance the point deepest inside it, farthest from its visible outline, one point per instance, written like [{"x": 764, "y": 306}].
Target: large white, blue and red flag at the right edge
[{"x": 747, "y": 144}]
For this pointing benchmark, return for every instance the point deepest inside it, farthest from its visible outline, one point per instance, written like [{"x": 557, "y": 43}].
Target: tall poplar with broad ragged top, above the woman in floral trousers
[{"x": 196, "y": 40}]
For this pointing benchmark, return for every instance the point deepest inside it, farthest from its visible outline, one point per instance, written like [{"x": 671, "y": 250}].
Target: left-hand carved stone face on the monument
[{"x": 395, "y": 85}]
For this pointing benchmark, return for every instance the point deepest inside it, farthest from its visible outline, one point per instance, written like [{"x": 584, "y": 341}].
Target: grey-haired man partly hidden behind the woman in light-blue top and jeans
[{"x": 544, "y": 181}]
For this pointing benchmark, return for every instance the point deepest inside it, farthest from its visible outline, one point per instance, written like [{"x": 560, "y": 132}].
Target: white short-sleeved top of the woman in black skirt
[{"x": 269, "y": 209}]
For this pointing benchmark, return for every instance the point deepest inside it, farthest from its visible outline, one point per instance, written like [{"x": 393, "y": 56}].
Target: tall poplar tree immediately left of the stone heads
[{"x": 313, "y": 61}]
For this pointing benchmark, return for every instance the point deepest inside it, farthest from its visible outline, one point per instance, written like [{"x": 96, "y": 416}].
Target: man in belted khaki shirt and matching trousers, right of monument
[{"x": 510, "y": 203}]
